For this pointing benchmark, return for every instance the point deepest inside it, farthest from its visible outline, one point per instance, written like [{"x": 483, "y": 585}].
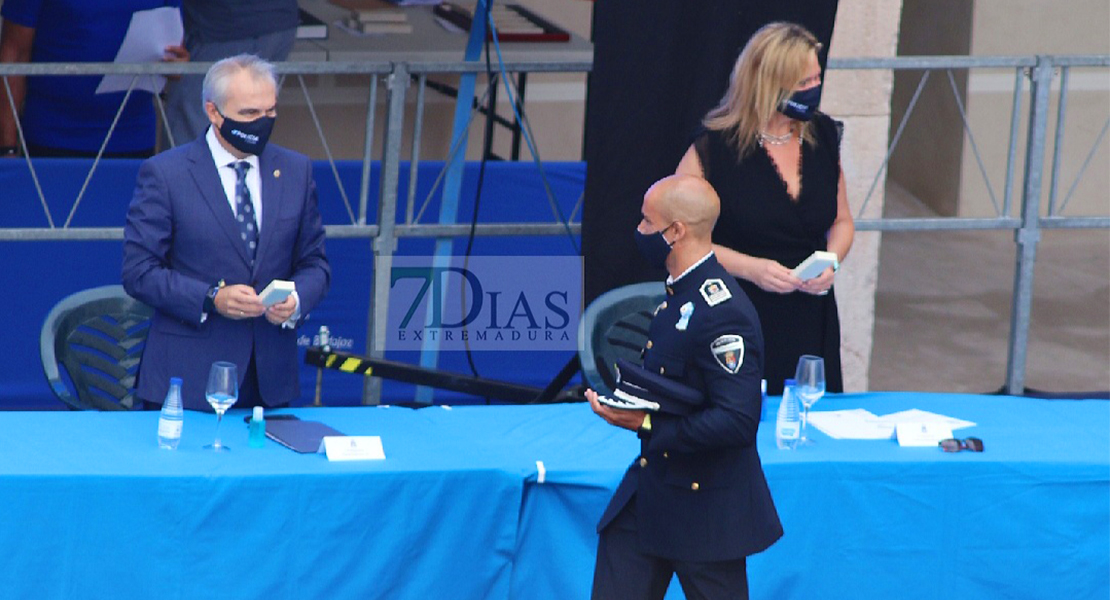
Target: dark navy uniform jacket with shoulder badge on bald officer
[{"x": 700, "y": 487}]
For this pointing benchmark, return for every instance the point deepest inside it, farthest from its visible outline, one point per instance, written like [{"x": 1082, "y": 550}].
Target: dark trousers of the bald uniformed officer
[{"x": 623, "y": 573}]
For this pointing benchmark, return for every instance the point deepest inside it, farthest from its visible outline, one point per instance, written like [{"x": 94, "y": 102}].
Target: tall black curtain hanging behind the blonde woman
[{"x": 659, "y": 67}]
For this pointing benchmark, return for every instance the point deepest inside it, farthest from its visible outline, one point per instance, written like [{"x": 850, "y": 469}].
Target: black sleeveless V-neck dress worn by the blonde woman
[{"x": 759, "y": 218}]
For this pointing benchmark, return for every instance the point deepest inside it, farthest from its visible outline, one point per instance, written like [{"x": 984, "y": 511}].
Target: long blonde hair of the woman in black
[{"x": 773, "y": 64}]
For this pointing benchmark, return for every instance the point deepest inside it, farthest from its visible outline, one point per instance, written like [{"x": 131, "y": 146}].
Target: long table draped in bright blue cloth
[{"x": 495, "y": 503}]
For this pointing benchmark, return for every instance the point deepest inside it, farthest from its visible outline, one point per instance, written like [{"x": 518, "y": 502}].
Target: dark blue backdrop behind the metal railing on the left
[{"x": 38, "y": 274}]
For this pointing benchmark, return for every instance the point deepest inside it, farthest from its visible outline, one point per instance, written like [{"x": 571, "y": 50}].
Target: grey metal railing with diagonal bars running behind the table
[{"x": 1040, "y": 72}]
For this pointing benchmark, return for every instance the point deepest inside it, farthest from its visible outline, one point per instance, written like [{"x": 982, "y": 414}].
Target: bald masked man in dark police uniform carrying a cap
[{"x": 695, "y": 503}]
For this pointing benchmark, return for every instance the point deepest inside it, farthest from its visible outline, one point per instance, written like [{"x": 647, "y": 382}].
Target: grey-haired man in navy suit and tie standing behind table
[{"x": 210, "y": 226}]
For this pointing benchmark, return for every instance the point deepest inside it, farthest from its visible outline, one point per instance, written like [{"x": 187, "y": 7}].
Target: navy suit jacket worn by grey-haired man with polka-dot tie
[{"x": 181, "y": 239}]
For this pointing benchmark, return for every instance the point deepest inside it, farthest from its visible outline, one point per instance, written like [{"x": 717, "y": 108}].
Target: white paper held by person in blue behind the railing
[{"x": 148, "y": 36}]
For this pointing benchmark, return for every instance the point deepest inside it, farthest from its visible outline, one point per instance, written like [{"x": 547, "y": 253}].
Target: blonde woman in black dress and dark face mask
[{"x": 775, "y": 161}]
